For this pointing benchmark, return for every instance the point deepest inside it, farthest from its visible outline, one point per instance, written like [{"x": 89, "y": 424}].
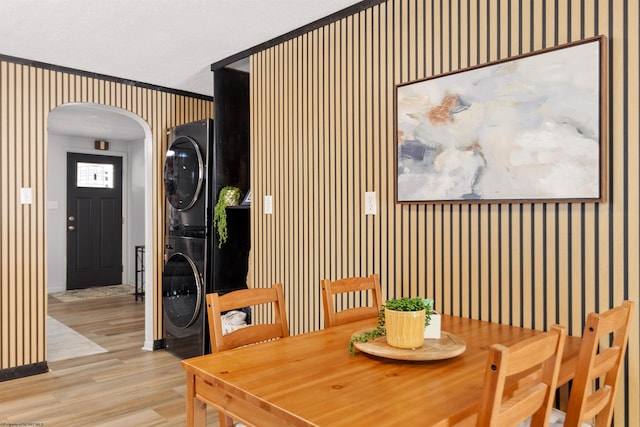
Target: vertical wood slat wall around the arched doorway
[{"x": 27, "y": 95}]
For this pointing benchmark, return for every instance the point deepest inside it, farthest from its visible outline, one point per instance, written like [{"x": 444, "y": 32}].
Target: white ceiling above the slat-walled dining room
[{"x": 168, "y": 43}]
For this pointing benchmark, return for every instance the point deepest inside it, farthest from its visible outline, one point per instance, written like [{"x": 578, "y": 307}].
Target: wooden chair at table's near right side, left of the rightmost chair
[{"x": 520, "y": 380}]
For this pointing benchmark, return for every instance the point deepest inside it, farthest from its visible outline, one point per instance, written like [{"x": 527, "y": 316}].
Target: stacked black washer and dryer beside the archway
[{"x": 184, "y": 283}]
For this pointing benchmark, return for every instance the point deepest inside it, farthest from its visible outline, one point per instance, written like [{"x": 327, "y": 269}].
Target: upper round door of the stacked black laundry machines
[{"x": 183, "y": 173}]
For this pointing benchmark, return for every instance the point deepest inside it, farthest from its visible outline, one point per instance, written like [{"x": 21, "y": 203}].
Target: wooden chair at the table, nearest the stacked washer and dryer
[{"x": 251, "y": 334}]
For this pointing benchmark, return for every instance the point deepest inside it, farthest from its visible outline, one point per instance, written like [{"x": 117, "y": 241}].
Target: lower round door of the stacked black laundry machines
[{"x": 181, "y": 290}]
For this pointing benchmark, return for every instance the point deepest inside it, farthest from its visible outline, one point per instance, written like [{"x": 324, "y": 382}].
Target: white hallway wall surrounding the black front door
[{"x": 132, "y": 153}]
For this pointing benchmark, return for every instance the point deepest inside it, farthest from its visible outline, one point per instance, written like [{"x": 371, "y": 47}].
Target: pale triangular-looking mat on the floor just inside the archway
[{"x": 64, "y": 343}]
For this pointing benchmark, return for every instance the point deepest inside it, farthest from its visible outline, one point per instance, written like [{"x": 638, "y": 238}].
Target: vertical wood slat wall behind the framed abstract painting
[{"x": 322, "y": 135}]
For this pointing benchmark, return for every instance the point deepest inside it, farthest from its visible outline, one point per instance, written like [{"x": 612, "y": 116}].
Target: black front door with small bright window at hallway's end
[{"x": 94, "y": 220}]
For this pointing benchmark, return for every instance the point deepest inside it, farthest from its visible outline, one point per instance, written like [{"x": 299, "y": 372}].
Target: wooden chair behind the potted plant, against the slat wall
[{"x": 352, "y": 284}]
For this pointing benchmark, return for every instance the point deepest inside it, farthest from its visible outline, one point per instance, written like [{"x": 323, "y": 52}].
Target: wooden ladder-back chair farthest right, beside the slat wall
[{"x": 604, "y": 343}]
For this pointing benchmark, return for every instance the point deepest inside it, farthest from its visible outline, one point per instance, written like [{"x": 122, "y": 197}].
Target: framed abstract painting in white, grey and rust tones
[{"x": 523, "y": 129}]
